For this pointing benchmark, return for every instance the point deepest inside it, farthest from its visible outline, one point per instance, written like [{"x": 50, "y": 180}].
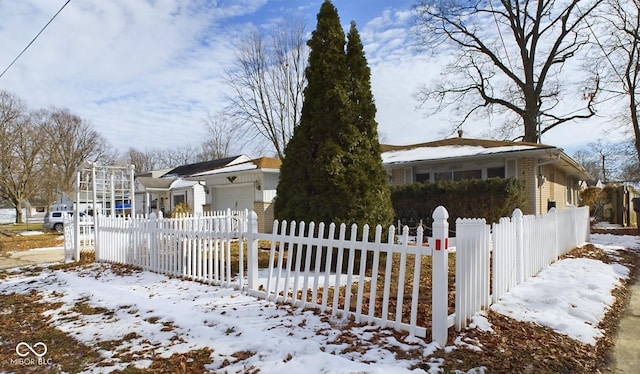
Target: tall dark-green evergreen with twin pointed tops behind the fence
[{"x": 332, "y": 171}]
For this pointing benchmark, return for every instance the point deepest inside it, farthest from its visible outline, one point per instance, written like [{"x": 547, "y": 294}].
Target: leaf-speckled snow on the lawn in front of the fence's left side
[{"x": 172, "y": 316}]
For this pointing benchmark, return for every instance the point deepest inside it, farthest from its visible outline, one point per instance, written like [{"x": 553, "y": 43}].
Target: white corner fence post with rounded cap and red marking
[{"x": 440, "y": 276}]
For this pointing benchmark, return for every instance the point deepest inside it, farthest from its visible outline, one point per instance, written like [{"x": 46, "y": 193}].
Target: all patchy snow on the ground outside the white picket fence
[{"x": 172, "y": 316}]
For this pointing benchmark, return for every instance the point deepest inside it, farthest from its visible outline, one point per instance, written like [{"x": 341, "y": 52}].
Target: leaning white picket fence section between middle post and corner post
[{"x": 351, "y": 276}]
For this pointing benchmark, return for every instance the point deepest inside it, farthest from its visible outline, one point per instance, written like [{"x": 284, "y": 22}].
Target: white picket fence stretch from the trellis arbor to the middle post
[{"x": 193, "y": 247}]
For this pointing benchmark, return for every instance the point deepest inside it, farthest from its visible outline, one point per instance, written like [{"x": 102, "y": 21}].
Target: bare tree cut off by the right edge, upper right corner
[{"x": 616, "y": 35}]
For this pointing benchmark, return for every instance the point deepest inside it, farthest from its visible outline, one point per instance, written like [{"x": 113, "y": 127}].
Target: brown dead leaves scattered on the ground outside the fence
[{"x": 513, "y": 346}]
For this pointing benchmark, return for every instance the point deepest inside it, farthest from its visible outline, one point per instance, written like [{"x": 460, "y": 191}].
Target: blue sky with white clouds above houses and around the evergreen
[{"x": 146, "y": 73}]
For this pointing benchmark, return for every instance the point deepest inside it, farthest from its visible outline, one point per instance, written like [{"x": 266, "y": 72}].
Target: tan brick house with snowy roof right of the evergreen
[{"x": 551, "y": 177}]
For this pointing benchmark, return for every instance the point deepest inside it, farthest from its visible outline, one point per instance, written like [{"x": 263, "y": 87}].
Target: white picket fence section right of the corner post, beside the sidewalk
[{"x": 519, "y": 248}]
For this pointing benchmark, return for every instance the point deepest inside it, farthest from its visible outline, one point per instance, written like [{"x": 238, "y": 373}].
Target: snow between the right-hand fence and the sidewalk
[{"x": 571, "y": 296}]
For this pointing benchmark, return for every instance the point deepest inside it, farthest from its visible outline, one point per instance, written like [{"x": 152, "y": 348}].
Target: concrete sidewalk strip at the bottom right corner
[{"x": 626, "y": 352}]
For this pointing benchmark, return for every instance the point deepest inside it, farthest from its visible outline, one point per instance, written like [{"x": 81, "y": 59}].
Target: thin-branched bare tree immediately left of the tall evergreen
[{"x": 267, "y": 81}]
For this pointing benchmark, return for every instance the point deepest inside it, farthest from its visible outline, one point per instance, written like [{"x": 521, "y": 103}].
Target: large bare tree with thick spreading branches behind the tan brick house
[{"x": 510, "y": 58}]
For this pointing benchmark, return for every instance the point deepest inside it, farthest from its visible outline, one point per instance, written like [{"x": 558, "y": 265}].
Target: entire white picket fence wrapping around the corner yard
[{"x": 401, "y": 282}]
